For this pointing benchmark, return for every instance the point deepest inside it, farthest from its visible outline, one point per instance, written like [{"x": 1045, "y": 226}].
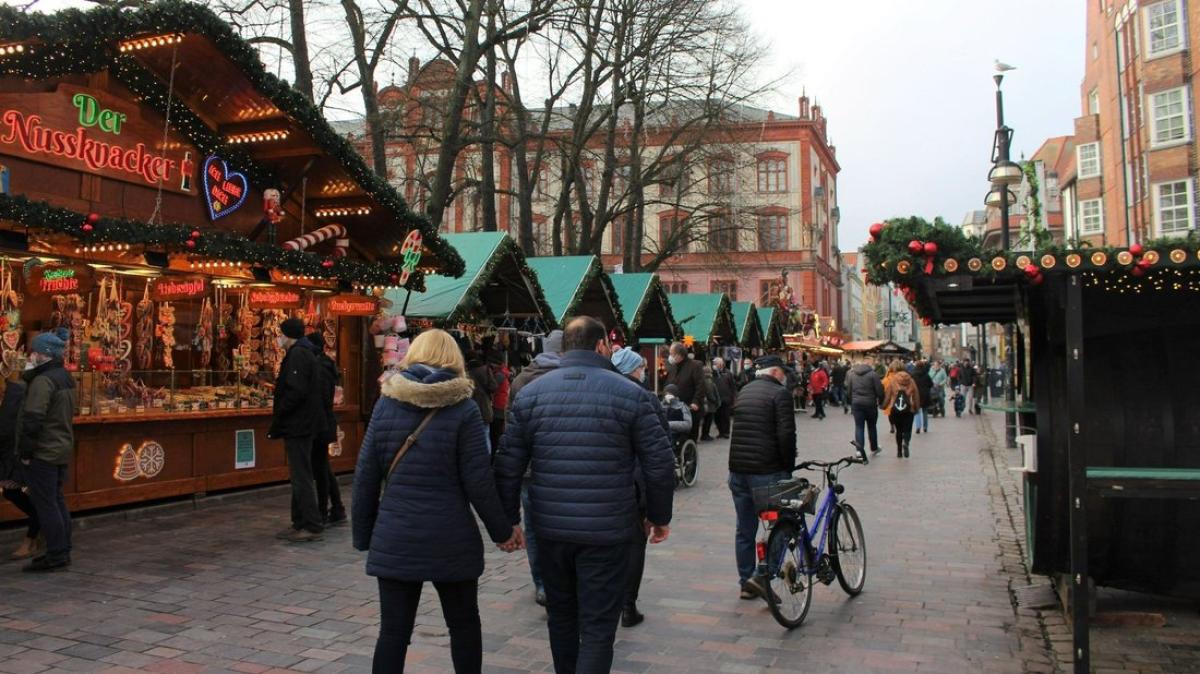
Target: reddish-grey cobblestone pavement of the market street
[{"x": 211, "y": 591}]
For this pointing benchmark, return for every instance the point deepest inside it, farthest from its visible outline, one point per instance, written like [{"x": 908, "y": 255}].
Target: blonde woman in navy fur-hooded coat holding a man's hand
[{"x": 424, "y": 465}]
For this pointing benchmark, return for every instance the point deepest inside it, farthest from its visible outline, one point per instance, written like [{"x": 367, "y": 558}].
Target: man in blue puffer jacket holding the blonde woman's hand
[{"x": 583, "y": 428}]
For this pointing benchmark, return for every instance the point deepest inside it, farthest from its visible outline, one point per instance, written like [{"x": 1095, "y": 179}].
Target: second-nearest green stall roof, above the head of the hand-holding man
[{"x": 578, "y": 286}]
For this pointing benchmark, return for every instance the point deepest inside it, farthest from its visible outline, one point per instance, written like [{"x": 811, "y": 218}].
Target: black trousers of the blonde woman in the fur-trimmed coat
[{"x": 398, "y": 613}]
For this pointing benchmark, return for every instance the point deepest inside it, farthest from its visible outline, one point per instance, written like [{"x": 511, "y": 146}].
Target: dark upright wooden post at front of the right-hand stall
[{"x": 1077, "y": 461}]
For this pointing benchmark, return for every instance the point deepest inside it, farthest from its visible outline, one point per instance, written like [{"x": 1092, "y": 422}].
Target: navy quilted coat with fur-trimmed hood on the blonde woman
[{"x": 424, "y": 529}]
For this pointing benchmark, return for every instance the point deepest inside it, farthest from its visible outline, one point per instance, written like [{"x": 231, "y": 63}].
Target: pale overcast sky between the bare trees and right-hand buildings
[{"x": 909, "y": 94}]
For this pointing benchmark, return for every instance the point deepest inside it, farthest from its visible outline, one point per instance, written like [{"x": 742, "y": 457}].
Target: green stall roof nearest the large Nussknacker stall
[{"x": 497, "y": 284}]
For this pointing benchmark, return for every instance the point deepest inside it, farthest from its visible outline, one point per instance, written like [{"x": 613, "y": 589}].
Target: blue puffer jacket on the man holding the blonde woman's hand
[{"x": 581, "y": 428}]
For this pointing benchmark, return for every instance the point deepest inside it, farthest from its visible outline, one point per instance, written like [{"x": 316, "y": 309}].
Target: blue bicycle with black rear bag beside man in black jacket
[{"x": 793, "y": 555}]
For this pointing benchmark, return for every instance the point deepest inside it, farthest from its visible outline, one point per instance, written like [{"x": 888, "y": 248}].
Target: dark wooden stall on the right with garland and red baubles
[{"x": 1106, "y": 364}]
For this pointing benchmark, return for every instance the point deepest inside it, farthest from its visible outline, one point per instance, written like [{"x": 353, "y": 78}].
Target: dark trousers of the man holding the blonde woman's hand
[{"x": 585, "y": 592}]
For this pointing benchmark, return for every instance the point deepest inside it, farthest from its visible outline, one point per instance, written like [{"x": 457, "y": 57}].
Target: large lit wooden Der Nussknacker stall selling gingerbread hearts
[{"x": 171, "y": 203}]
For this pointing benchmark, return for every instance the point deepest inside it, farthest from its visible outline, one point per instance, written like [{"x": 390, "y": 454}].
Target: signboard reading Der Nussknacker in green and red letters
[{"x": 92, "y": 131}]
